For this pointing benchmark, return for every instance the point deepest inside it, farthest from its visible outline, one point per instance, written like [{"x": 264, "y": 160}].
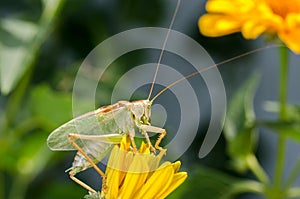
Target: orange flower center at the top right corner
[{"x": 284, "y": 7}]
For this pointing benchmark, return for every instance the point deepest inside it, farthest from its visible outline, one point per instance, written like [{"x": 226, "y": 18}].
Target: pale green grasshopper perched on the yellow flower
[{"x": 94, "y": 134}]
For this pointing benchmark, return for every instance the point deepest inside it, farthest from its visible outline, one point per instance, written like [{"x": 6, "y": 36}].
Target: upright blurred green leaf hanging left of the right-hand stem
[{"x": 239, "y": 129}]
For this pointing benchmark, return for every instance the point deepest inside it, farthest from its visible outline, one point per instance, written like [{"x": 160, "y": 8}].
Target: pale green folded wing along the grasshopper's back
[{"x": 91, "y": 123}]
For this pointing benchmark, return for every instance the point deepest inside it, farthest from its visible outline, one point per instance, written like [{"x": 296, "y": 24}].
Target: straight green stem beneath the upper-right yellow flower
[{"x": 283, "y": 54}]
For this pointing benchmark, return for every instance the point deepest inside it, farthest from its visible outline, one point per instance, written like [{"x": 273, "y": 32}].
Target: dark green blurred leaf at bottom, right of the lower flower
[{"x": 213, "y": 184}]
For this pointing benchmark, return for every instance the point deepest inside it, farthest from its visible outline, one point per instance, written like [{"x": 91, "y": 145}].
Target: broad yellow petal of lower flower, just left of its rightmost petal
[{"x": 158, "y": 181}]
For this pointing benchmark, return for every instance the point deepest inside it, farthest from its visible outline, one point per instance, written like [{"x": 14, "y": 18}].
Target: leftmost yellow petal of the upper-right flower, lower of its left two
[{"x": 216, "y": 25}]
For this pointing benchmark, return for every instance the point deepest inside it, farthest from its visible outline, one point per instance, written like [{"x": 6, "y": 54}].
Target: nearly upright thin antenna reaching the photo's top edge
[{"x": 163, "y": 48}]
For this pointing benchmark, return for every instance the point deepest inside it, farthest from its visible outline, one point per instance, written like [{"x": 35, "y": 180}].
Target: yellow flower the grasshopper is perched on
[{"x": 138, "y": 174}]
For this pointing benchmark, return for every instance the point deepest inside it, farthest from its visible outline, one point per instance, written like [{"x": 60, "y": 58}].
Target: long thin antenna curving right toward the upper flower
[{"x": 210, "y": 67}]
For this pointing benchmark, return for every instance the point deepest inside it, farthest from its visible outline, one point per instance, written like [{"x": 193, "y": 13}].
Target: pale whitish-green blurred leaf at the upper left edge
[{"x": 16, "y": 36}]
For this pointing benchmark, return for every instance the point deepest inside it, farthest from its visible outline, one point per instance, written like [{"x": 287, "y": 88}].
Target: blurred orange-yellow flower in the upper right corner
[{"x": 253, "y": 18}]
